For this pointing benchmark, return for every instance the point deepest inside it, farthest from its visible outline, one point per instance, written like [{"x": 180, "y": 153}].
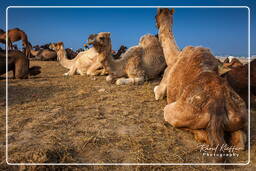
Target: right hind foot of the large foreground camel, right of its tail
[{"x": 238, "y": 139}]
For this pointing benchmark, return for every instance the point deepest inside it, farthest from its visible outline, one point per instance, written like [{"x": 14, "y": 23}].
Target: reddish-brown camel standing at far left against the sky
[{"x": 15, "y": 35}]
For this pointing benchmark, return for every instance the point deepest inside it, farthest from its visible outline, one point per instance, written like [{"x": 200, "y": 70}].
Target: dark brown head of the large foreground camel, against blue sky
[{"x": 164, "y": 17}]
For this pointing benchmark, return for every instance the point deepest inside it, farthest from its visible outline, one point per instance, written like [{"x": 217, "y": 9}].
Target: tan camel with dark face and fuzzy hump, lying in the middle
[{"x": 139, "y": 63}]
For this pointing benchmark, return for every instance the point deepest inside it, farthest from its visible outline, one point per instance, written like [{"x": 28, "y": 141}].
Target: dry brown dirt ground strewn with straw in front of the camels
[{"x": 80, "y": 119}]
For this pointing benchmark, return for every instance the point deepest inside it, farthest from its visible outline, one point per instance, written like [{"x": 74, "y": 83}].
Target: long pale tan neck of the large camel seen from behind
[{"x": 169, "y": 45}]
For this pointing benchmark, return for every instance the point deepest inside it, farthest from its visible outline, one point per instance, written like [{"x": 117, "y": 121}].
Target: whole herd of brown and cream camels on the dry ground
[{"x": 204, "y": 95}]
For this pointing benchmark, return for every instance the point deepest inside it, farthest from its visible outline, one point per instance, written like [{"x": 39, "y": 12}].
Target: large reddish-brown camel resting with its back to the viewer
[{"x": 198, "y": 98}]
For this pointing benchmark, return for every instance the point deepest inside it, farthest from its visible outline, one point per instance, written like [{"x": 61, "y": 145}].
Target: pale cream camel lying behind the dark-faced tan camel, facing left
[{"x": 84, "y": 63}]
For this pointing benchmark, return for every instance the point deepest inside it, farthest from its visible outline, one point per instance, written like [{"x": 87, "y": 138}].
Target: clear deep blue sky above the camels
[{"x": 224, "y": 31}]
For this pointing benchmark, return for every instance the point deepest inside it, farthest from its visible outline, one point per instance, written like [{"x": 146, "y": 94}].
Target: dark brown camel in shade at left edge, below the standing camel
[{"x": 18, "y": 63}]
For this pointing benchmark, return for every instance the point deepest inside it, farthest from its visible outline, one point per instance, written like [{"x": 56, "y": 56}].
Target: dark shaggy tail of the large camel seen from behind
[{"x": 215, "y": 129}]
